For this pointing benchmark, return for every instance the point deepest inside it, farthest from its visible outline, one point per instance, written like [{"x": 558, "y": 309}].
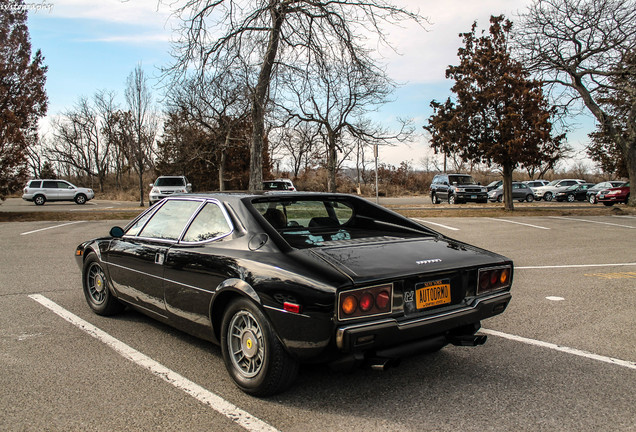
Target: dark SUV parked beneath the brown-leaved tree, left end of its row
[{"x": 457, "y": 188}]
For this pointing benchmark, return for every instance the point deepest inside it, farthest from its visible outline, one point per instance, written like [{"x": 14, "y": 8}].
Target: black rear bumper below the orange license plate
[{"x": 357, "y": 338}]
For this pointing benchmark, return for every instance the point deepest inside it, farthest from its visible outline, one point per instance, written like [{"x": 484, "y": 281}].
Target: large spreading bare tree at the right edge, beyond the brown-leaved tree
[{"x": 584, "y": 49}]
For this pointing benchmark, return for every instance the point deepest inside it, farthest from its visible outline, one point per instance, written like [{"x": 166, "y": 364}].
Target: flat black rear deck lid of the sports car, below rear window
[{"x": 403, "y": 257}]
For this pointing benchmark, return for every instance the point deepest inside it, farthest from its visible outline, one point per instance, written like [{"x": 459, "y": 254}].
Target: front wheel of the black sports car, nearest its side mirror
[{"x": 96, "y": 288}]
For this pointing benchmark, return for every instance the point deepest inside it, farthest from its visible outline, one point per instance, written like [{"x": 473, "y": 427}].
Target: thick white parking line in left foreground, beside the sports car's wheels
[{"x": 217, "y": 403}]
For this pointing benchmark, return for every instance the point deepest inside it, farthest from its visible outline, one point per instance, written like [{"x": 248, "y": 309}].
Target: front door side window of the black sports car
[{"x": 169, "y": 221}]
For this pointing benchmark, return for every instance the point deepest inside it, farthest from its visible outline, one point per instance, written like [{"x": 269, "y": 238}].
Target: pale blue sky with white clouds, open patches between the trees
[{"x": 94, "y": 45}]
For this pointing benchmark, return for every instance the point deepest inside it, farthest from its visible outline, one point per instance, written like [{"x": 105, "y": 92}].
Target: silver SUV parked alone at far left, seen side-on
[{"x": 40, "y": 191}]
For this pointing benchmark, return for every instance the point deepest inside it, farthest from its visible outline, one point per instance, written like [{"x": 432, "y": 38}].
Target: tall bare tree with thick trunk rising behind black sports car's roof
[{"x": 267, "y": 33}]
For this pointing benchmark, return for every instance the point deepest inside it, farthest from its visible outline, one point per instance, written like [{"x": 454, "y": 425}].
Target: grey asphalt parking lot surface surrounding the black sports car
[{"x": 562, "y": 357}]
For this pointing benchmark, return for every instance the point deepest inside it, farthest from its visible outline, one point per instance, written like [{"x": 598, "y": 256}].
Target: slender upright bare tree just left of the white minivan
[{"x": 143, "y": 124}]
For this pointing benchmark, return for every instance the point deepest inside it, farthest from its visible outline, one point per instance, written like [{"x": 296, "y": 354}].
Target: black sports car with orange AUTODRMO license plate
[{"x": 282, "y": 278}]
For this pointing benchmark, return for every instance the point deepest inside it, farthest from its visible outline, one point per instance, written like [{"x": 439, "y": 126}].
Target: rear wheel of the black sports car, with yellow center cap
[{"x": 254, "y": 357}]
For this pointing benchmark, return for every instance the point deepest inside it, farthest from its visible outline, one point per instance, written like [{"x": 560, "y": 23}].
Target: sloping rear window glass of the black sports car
[{"x": 319, "y": 221}]
